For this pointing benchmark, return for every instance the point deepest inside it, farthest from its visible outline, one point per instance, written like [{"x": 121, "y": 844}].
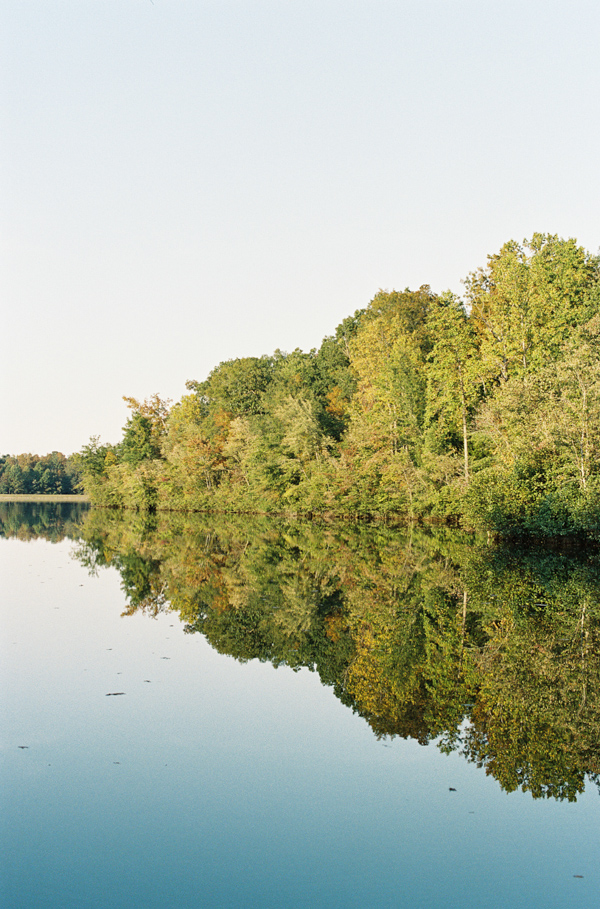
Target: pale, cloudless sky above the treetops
[{"x": 185, "y": 181}]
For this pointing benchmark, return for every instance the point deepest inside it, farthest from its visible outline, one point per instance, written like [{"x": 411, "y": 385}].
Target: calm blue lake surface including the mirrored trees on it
[{"x": 200, "y": 712}]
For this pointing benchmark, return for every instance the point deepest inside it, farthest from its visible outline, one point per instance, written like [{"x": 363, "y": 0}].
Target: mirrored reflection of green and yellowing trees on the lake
[{"x": 429, "y": 635}]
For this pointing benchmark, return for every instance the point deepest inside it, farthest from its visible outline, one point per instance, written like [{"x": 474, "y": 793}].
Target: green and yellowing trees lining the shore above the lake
[{"x": 483, "y": 412}]
